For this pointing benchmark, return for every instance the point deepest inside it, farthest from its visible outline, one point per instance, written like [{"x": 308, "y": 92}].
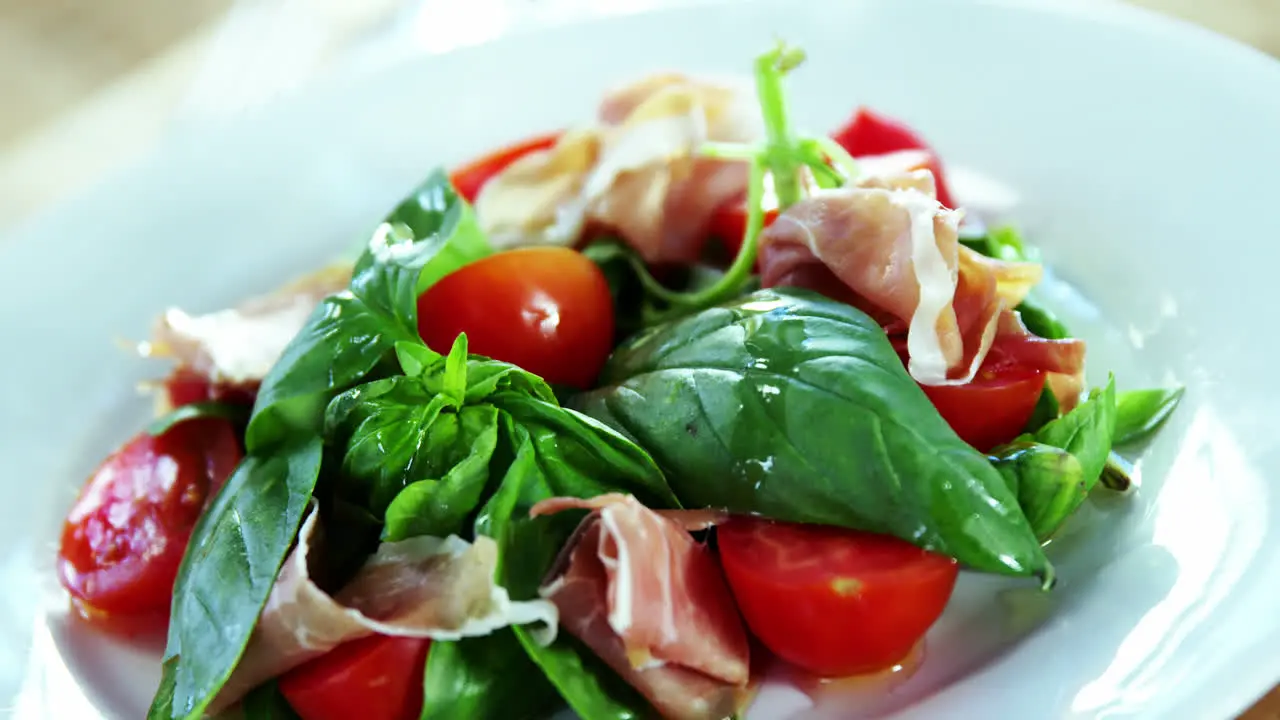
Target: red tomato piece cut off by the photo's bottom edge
[{"x": 374, "y": 678}]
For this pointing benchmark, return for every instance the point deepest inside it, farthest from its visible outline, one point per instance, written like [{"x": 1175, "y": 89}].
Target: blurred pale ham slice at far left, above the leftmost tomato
[{"x": 237, "y": 347}]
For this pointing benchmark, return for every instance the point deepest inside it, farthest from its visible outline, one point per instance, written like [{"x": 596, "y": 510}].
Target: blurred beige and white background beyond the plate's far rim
[{"x": 89, "y": 85}]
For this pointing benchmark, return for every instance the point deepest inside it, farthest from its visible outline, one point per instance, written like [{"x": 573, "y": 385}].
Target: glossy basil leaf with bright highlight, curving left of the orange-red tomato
[{"x": 428, "y": 236}]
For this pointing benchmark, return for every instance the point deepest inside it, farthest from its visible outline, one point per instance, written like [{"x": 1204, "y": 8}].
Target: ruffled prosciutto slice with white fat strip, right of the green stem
[{"x": 888, "y": 247}]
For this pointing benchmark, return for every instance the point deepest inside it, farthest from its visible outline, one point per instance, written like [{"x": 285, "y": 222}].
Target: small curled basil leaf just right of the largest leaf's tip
[{"x": 1049, "y": 482}]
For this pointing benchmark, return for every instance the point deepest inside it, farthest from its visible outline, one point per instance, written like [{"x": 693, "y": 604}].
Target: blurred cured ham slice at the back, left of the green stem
[{"x": 637, "y": 172}]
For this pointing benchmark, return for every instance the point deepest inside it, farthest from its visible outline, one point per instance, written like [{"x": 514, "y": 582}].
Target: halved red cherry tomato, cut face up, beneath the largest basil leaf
[{"x": 833, "y": 601}]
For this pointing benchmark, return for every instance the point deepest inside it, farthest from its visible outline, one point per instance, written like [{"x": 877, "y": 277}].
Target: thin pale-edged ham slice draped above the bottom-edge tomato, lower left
[{"x": 424, "y": 587}]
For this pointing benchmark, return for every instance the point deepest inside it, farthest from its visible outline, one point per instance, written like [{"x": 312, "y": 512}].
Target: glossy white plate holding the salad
[{"x": 1145, "y": 156}]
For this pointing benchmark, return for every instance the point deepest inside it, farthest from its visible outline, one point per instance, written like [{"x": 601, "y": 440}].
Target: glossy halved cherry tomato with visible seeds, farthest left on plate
[{"x": 125, "y": 537}]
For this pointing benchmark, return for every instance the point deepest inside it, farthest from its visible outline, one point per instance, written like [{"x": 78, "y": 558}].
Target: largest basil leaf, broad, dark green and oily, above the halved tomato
[{"x": 797, "y": 408}]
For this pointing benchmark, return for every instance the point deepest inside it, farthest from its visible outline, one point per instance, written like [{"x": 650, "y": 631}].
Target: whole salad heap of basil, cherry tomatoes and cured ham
[{"x": 612, "y": 420}]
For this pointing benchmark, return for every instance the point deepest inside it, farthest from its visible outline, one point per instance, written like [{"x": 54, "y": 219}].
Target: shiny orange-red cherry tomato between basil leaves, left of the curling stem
[{"x": 546, "y": 309}]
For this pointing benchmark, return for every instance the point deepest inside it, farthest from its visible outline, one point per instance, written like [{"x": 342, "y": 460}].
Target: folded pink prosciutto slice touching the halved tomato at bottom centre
[{"x": 637, "y": 589}]
